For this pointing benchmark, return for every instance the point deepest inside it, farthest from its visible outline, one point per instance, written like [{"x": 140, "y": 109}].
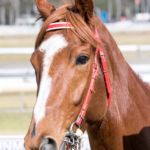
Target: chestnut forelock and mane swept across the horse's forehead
[{"x": 65, "y": 13}]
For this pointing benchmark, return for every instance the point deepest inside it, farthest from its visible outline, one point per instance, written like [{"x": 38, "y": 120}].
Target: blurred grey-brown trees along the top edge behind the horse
[{"x": 12, "y": 9}]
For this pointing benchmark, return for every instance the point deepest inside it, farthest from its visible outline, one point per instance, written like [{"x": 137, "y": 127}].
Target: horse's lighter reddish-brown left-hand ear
[{"x": 45, "y": 8}]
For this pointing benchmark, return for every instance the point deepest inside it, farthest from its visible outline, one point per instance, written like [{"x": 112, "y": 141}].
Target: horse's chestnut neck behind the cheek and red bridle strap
[{"x": 129, "y": 110}]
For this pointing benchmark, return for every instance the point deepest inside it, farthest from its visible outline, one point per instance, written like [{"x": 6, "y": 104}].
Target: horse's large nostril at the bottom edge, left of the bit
[{"x": 48, "y": 144}]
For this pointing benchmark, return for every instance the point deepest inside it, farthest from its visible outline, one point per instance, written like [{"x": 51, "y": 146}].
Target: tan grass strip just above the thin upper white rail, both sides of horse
[{"x": 121, "y": 38}]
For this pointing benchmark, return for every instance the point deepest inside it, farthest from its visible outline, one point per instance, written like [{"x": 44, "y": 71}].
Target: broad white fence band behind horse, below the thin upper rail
[{"x": 26, "y": 80}]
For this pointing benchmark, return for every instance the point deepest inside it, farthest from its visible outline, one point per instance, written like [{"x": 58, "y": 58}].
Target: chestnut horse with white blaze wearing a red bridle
[{"x": 84, "y": 84}]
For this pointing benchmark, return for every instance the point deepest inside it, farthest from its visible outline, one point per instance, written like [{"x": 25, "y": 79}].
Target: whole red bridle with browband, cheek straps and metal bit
[{"x": 72, "y": 138}]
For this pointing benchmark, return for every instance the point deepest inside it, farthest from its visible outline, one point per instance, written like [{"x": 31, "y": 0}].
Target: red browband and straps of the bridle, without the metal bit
[{"x": 95, "y": 72}]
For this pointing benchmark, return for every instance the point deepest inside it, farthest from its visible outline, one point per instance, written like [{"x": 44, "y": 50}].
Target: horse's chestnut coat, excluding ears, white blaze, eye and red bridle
[{"x": 128, "y": 118}]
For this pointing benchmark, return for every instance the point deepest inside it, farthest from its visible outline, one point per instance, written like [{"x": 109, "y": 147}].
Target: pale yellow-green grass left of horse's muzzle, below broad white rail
[{"x": 15, "y": 122}]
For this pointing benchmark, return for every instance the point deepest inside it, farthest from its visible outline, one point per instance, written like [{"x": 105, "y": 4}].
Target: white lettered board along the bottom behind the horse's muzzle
[{"x": 16, "y": 142}]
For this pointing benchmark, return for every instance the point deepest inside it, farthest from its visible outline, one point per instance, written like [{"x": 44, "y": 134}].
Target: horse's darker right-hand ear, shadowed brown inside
[{"x": 84, "y": 8}]
